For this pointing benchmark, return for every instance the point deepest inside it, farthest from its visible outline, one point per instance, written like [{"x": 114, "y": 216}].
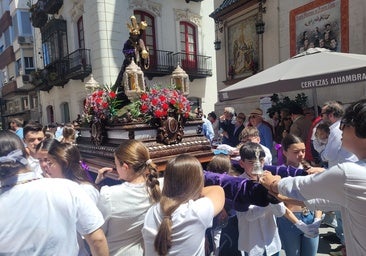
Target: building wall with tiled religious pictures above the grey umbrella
[{"x": 247, "y": 52}]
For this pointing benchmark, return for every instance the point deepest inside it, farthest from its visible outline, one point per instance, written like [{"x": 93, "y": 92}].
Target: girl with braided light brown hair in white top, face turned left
[{"x": 124, "y": 205}]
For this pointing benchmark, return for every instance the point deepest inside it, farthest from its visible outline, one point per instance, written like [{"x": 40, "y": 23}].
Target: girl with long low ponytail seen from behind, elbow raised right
[{"x": 177, "y": 225}]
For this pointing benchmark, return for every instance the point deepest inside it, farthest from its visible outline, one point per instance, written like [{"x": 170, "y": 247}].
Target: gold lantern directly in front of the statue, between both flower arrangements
[{"x": 133, "y": 81}]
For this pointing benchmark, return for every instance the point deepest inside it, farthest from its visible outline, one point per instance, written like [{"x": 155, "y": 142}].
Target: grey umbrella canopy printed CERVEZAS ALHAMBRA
[{"x": 317, "y": 67}]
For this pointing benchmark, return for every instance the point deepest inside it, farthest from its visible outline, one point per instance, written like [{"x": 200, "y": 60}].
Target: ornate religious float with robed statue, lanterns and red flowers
[{"x": 159, "y": 116}]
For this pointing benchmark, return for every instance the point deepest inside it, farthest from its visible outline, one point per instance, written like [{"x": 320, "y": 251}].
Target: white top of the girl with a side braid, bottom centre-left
[{"x": 124, "y": 207}]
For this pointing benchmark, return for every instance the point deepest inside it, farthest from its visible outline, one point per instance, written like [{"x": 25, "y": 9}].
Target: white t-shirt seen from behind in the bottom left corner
[{"x": 43, "y": 216}]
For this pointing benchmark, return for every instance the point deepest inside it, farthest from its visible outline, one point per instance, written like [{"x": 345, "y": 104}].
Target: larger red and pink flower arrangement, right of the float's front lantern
[{"x": 160, "y": 103}]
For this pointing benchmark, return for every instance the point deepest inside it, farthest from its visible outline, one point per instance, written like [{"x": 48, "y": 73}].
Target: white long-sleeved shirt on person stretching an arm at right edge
[{"x": 341, "y": 187}]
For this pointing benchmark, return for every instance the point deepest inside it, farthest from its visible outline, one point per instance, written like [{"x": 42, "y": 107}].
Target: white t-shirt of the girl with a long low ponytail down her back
[{"x": 190, "y": 222}]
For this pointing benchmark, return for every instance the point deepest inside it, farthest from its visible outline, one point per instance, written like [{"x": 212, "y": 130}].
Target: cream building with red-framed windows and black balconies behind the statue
[{"x": 76, "y": 40}]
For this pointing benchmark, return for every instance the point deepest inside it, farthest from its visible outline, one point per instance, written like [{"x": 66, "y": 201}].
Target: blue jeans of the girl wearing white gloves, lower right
[{"x": 294, "y": 243}]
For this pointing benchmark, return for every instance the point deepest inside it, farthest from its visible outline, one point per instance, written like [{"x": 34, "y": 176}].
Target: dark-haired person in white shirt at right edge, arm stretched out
[{"x": 341, "y": 187}]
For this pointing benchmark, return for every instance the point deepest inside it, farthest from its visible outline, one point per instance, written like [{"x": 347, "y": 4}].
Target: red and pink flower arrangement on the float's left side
[{"x": 101, "y": 105}]
